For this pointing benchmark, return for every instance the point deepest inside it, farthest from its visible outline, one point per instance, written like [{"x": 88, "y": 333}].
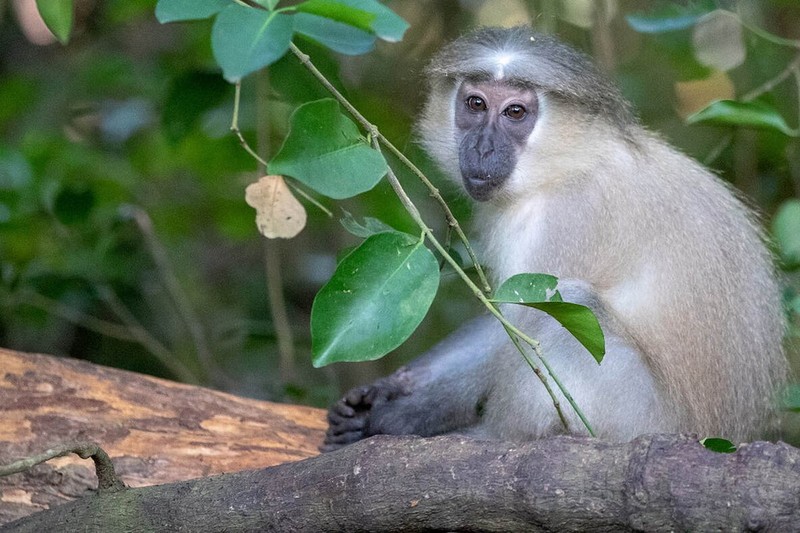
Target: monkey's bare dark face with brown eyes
[{"x": 493, "y": 121}]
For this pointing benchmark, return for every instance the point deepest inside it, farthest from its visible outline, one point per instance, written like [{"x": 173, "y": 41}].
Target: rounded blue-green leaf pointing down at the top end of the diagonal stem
[{"x": 245, "y": 39}]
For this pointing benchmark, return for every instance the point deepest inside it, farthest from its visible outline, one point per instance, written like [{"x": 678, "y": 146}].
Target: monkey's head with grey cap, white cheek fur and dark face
[{"x": 510, "y": 110}]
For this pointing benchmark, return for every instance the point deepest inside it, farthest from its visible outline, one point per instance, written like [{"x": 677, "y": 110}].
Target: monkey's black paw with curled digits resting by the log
[{"x": 368, "y": 410}]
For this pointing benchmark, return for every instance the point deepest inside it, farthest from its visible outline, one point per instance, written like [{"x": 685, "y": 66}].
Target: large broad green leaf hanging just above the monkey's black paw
[{"x": 376, "y": 298}]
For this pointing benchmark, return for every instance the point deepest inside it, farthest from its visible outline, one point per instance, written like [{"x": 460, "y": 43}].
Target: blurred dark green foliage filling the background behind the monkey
[{"x": 124, "y": 235}]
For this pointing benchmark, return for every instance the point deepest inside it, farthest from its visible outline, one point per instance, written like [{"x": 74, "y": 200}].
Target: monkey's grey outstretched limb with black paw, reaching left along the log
[{"x": 436, "y": 393}]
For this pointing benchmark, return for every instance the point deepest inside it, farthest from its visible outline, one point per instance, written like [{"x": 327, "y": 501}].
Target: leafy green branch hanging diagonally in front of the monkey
[{"x": 381, "y": 291}]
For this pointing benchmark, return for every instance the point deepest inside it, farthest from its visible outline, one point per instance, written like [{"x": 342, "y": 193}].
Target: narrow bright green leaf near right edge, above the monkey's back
[{"x": 756, "y": 114}]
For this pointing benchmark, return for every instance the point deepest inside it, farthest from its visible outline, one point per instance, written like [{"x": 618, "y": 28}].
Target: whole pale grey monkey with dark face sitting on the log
[{"x": 566, "y": 181}]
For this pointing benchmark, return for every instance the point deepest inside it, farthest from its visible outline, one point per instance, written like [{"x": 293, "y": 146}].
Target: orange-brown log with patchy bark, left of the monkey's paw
[{"x": 156, "y": 431}]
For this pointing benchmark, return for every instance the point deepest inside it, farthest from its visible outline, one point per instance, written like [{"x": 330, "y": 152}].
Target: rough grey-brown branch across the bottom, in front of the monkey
[{"x": 653, "y": 483}]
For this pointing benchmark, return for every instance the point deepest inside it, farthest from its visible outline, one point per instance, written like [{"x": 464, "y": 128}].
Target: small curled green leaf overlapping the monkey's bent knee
[{"x": 539, "y": 291}]
